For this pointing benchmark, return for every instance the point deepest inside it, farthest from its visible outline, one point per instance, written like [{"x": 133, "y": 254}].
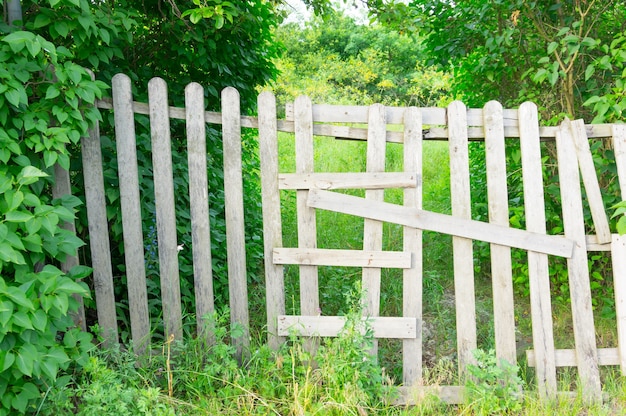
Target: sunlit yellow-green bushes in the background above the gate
[{"x": 336, "y": 61}]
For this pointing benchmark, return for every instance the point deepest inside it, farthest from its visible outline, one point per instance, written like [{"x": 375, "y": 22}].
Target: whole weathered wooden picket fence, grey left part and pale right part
[{"x": 456, "y": 124}]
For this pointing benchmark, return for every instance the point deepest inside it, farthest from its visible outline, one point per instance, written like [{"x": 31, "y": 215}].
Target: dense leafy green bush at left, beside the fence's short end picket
[{"x": 46, "y": 105}]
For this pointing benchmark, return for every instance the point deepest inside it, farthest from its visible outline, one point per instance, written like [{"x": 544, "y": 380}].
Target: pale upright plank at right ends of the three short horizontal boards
[{"x": 412, "y": 278}]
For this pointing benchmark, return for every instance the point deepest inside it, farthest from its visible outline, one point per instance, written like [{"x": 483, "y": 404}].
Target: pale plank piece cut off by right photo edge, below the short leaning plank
[{"x": 618, "y": 258}]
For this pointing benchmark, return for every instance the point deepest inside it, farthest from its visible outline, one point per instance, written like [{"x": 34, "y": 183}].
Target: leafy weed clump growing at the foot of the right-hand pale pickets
[{"x": 493, "y": 387}]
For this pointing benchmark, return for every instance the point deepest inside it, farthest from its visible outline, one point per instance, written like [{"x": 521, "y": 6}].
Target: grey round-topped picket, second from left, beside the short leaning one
[{"x": 131, "y": 212}]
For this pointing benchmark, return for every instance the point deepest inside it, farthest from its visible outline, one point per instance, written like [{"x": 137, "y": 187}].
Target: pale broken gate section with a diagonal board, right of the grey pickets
[{"x": 457, "y": 125}]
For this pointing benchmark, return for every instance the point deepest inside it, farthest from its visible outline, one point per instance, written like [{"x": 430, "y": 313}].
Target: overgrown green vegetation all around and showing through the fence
[{"x": 566, "y": 56}]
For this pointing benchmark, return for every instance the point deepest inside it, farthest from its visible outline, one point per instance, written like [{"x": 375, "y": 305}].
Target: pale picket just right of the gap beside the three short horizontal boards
[{"x": 462, "y": 247}]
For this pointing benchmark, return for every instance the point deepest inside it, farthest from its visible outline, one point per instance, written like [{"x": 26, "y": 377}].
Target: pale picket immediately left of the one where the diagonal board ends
[{"x": 538, "y": 270}]
